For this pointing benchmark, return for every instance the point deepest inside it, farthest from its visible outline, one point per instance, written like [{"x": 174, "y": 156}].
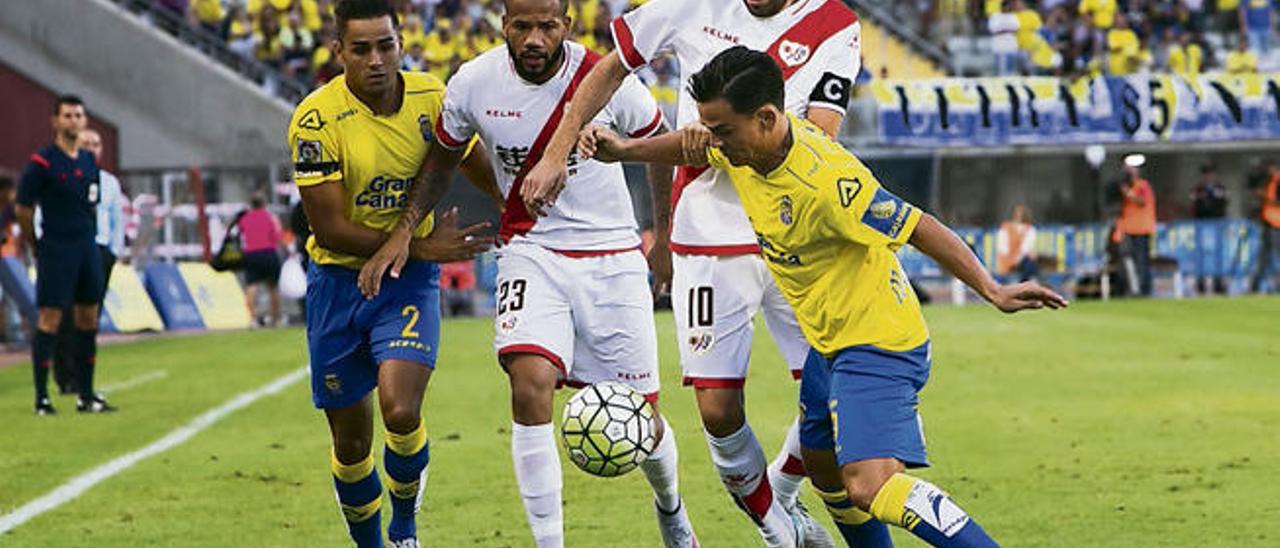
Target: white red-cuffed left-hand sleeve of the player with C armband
[{"x": 641, "y": 34}]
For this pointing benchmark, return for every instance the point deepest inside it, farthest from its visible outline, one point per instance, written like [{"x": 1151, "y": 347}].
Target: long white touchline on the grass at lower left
[{"x": 80, "y": 485}]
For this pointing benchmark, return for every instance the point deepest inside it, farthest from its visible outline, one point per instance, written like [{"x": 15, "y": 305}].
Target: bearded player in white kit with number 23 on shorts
[{"x": 574, "y": 302}]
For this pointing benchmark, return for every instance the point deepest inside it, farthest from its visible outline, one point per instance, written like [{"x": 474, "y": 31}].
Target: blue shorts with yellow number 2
[{"x": 350, "y": 336}]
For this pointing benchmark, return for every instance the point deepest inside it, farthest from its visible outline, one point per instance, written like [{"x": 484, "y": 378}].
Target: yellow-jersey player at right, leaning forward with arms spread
[{"x": 830, "y": 231}]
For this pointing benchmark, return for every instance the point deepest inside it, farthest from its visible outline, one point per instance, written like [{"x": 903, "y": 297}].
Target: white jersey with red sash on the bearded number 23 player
[{"x": 516, "y": 120}]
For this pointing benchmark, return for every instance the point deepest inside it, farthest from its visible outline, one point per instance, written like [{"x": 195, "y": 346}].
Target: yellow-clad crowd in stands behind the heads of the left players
[{"x": 294, "y": 36}]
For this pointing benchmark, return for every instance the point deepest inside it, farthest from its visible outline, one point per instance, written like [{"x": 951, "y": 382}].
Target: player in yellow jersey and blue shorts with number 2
[{"x": 359, "y": 144}]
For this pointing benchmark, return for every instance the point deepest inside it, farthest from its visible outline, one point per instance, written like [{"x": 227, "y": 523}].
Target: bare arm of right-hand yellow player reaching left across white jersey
[{"x": 684, "y": 148}]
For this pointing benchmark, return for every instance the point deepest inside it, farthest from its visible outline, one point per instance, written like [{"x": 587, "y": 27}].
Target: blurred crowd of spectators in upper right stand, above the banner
[{"x": 1073, "y": 38}]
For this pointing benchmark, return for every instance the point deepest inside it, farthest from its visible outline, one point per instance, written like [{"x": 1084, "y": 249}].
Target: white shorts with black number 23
[{"x": 592, "y": 317}]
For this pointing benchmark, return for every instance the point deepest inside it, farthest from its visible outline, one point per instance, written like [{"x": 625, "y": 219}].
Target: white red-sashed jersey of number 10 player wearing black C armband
[{"x": 816, "y": 43}]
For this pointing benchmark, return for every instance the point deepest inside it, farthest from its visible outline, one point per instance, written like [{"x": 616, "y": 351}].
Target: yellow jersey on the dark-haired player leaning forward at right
[{"x": 829, "y": 232}]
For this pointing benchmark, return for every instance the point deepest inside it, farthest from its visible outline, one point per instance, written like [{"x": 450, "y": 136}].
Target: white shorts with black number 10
[{"x": 715, "y": 300}]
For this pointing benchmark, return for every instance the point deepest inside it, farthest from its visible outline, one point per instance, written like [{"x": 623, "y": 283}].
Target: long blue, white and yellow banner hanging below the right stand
[{"x": 1045, "y": 111}]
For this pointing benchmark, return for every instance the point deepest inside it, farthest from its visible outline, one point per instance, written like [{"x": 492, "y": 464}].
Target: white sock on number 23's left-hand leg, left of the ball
[{"x": 538, "y": 473}]
